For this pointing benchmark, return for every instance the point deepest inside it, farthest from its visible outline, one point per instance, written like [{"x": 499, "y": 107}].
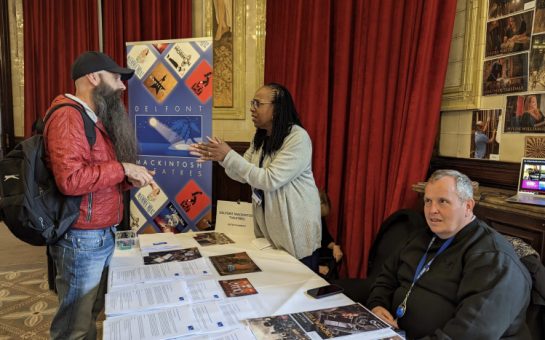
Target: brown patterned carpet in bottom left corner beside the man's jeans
[{"x": 26, "y": 304}]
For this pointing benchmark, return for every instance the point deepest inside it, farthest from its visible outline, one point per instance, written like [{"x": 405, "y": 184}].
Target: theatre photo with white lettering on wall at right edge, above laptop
[{"x": 524, "y": 114}]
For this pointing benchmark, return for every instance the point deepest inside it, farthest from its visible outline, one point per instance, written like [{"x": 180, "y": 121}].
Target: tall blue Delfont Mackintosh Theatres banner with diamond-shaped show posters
[{"x": 170, "y": 101}]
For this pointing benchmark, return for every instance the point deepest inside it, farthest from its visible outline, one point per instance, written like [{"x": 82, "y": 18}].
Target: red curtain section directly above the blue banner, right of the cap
[{"x": 142, "y": 20}]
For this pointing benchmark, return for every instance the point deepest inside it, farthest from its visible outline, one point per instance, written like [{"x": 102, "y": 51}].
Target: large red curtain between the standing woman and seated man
[{"x": 367, "y": 77}]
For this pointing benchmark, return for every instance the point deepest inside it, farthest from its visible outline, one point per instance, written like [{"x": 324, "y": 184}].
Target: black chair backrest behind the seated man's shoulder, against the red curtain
[{"x": 393, "y": 234}]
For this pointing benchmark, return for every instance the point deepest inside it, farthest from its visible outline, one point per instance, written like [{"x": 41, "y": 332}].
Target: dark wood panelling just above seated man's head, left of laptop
[{"x": 488, "y": 173}]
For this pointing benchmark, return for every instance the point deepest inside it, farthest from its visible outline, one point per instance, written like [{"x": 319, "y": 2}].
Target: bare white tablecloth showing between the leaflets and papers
[{"x": 281, "y": 285}]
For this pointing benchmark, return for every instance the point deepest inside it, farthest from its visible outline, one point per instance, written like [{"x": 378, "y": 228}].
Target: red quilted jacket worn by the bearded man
[{"x": 94, "y": 174}]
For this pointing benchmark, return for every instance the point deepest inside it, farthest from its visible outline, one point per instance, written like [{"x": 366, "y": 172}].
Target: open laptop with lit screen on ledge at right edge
[{"x": 531, "y": 188}]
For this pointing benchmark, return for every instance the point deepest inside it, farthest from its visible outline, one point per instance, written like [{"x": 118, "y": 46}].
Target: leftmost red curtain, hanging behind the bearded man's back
[{"x": 55, "y": 33}]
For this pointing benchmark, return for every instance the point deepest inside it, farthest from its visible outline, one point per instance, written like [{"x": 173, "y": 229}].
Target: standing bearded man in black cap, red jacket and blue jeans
[{"x": 99, "y": 174}]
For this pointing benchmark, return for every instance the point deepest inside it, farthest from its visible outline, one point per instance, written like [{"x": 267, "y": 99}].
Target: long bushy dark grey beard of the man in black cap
[{"x": 111, "y": 111}]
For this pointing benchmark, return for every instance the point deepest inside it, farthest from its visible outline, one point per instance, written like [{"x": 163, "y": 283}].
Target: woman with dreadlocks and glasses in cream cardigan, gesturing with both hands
[{"x": 278, "y": 167}]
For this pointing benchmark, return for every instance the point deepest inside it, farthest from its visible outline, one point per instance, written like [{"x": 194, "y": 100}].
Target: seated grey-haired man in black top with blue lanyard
[{"x": 458, "y": 280}]
